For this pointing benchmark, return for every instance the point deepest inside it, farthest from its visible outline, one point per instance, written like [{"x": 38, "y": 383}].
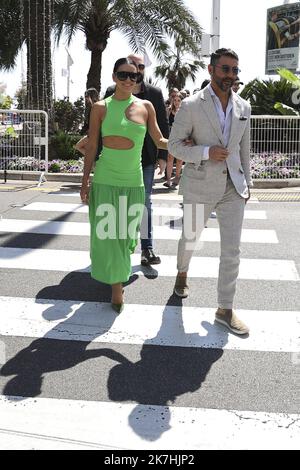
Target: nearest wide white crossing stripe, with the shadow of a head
[{"x": 48, "y": 423}]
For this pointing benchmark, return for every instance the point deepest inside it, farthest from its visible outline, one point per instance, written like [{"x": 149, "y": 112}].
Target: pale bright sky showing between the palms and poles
[{"x": 243, "y": 28}]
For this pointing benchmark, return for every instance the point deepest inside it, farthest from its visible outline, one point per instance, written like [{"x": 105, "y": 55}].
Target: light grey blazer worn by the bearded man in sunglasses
[{"x": 205, "y": 180}]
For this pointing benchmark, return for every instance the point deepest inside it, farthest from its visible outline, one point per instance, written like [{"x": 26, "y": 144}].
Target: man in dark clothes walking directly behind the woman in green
[{"x": 151, "y": 157}]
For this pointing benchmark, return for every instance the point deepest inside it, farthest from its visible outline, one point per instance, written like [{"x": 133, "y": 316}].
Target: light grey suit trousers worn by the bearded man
[{"x": 230, "y": 213}]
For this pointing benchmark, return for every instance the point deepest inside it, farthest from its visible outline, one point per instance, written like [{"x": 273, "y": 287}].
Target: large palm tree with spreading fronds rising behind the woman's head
[{"x": 144, "y": 24}]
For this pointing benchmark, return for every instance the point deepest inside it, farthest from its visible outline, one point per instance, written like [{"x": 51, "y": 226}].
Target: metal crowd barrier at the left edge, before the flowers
[{"x": 24, "y": 141}]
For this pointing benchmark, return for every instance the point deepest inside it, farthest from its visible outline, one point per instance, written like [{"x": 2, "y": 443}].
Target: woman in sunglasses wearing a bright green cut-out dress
[{"x": 116, "y": 196}]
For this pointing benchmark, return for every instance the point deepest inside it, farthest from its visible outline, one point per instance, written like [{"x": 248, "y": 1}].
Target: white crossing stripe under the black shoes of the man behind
[{"x": 201, "y": 267}]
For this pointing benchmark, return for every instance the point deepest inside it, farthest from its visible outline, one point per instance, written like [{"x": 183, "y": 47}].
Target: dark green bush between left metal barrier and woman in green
[{"x": 61, "y": 146}]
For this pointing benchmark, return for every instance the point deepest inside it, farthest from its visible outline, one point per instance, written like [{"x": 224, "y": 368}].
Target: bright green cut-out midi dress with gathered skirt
[{"x": 117, "y": 197}]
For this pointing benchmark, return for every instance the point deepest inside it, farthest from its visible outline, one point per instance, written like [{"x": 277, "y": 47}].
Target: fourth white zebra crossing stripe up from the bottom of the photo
[{"x": 159, "y": 232}]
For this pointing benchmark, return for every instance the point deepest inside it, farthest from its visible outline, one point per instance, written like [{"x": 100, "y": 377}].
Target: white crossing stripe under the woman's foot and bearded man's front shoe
[{"x": 191, "y": 327}]
